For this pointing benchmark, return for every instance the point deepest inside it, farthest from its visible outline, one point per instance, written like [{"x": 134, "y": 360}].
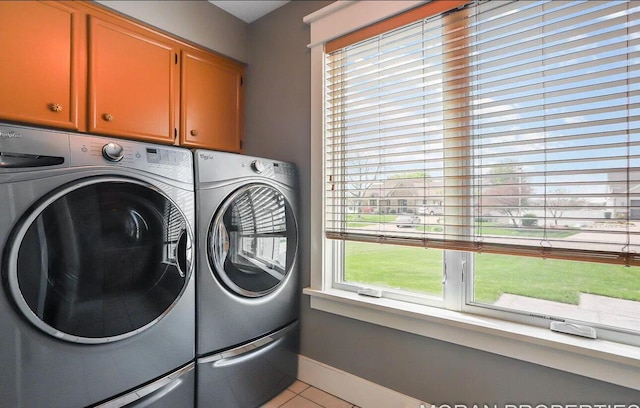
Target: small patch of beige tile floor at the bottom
[{"x": 302, "y": 395}]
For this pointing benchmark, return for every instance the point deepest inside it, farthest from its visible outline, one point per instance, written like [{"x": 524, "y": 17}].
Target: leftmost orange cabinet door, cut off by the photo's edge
[{"x": 39, "y": 69}]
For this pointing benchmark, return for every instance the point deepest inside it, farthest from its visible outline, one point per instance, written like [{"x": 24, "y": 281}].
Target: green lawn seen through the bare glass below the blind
[{"x": 420, "y": 270}]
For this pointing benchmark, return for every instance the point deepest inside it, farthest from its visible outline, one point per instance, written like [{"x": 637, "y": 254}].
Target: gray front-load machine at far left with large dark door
[{"x": 98, "y": 298}]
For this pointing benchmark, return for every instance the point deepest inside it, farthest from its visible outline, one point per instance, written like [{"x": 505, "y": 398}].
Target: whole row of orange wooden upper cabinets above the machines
[{"x": 76, "y": 65}]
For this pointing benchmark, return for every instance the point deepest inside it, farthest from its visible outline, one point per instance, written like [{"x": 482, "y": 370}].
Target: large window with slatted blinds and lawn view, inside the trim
[{"x": 502, "y": 137}]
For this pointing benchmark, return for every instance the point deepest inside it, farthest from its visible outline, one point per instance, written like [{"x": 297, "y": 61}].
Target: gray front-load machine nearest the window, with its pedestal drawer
[{"x": 247, "y": 299}]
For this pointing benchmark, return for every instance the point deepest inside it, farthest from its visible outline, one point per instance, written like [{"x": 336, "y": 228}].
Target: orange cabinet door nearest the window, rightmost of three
[{"x": 212, "y": 103}]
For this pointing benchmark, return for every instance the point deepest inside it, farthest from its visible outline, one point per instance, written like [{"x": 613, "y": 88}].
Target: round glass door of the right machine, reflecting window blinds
[{"x": 252, "y": 241}]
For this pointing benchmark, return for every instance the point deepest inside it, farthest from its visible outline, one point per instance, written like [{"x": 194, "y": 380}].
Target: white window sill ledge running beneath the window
[{"x": 599, "y": 359}]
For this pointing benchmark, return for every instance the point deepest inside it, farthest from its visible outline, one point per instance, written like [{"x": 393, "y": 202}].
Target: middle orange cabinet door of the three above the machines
[{"x": 132, "y": 76}]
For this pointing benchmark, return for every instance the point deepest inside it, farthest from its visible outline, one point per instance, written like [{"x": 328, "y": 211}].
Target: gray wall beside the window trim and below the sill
[{"x": 277, "y": 125}]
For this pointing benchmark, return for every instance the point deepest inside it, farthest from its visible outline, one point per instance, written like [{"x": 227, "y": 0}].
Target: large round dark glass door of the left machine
[{"x": 99, "y": 260}]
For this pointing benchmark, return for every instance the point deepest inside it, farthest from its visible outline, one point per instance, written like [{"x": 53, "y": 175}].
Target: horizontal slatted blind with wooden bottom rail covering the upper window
[{"x": 504, "y": 127}]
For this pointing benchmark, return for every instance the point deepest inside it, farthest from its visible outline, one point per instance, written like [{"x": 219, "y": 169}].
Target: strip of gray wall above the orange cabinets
[{"x": 197, "y": 21}]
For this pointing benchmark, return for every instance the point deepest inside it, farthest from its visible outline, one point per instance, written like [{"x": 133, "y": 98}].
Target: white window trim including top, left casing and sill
[{"x": 599, "y": 359}]
